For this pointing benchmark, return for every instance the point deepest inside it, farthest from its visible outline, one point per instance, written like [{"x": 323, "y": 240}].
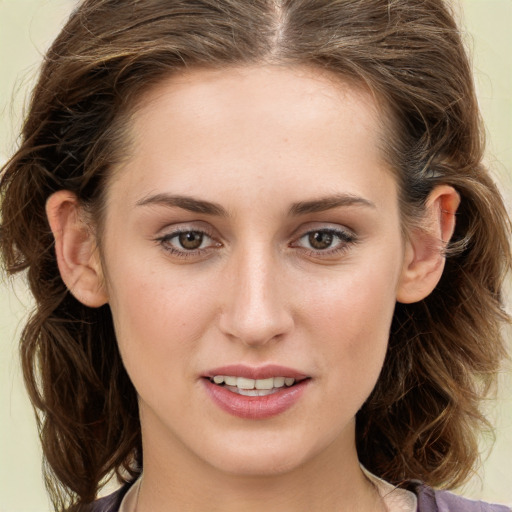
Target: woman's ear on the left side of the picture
[{"x": 76, "y": 250}]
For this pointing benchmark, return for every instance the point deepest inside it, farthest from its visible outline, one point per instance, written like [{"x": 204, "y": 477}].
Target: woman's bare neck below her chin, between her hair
[{"x": 331, "y": 482}]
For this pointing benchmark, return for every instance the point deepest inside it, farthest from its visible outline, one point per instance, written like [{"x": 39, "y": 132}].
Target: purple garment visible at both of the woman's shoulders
[{"x": 429, "y": 500}]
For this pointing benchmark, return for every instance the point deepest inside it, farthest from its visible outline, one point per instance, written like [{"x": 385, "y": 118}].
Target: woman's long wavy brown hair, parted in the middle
[{"x": 422, "y": 419}]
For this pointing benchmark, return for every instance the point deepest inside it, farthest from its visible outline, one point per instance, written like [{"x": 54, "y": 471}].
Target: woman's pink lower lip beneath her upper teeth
[{"x": 255, "y": 407}]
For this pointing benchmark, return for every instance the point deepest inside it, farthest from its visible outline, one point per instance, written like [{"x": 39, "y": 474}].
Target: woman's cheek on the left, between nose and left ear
[{"x": 158, "y": 319}]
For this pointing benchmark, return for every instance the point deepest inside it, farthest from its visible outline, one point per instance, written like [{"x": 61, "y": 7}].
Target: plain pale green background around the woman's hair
[{"x": 26, "y": 29}]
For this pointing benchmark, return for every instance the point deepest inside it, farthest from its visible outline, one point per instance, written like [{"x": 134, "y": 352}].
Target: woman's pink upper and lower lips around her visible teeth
[{"x": 256, "y": 407}]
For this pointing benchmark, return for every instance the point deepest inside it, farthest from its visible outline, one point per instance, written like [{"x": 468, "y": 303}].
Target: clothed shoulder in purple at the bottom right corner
[{"x": 430, "y": 500}]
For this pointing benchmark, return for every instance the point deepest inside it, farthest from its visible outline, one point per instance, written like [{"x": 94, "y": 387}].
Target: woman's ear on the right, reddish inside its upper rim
[{"x": 424, "y": 253}]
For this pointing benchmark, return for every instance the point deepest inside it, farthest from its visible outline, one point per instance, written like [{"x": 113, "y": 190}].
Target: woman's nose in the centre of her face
[{"x": 257, "y": 308}]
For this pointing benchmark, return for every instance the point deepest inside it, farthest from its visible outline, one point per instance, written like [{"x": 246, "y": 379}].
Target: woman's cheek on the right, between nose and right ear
[{"x": 350, "y": 317}]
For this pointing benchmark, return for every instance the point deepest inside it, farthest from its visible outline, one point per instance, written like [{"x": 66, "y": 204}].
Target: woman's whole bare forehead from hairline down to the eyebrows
[{"x": 299, "y": 124}]
